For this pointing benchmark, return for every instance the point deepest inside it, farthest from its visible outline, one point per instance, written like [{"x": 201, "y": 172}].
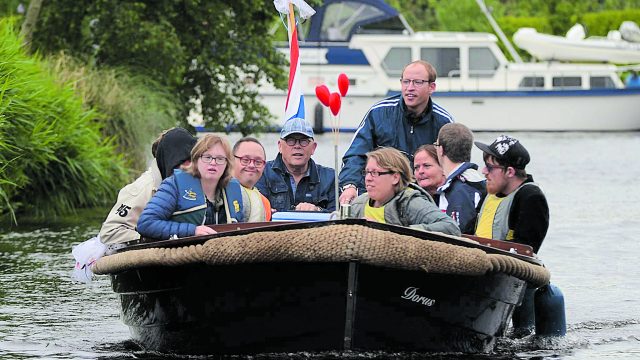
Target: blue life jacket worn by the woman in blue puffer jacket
[{"x": 192, "y": 204}]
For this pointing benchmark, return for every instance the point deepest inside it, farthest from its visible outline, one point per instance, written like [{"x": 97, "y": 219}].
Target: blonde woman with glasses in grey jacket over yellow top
[{"x": 392, "y": 198}]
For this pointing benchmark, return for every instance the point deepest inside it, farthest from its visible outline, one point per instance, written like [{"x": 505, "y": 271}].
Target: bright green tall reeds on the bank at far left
[{"x": 54, "y": 157}]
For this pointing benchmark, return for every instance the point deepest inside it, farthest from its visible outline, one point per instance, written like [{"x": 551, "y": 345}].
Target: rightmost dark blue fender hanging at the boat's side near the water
[{"x": 549, "y": 308}]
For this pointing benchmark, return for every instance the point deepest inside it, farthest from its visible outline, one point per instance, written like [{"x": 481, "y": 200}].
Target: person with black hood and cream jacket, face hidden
[{"x": 171, "y": 150}]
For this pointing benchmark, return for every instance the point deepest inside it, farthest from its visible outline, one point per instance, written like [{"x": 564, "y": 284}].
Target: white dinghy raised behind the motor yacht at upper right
[{"x": 575, "y": 47}]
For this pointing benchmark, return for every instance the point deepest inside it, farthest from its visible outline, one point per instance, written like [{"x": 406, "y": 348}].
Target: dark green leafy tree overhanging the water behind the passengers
[{"x": 213, "y": 50}]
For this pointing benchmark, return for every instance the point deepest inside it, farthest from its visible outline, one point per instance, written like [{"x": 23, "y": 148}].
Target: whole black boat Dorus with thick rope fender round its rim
[{"x": 316, "y": 286}]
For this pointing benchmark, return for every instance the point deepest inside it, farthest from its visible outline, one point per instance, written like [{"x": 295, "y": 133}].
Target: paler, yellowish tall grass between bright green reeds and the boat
[{"x": 136, "y": 108}]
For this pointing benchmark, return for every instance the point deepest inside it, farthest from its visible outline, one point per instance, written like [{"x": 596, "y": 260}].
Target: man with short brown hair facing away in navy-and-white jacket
[{"x": 464, "y": 190}]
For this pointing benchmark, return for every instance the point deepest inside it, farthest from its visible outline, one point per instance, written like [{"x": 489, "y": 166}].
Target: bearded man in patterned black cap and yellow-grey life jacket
[{"x": 515, "y": 207}]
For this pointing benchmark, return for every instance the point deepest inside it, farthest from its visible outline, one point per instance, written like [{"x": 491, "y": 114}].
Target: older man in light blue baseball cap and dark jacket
[{"x": 293, "y": 181}]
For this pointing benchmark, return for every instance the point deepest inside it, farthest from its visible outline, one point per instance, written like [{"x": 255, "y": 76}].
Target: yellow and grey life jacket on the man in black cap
[{"x": 493, "y": 221}]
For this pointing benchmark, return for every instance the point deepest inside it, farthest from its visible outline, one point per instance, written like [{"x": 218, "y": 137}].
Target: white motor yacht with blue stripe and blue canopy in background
[{"x": 371, "y": 42}]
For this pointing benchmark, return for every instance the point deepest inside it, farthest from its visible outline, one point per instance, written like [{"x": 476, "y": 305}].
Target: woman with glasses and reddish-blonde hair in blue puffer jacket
[{"x": 204, "y": 194}]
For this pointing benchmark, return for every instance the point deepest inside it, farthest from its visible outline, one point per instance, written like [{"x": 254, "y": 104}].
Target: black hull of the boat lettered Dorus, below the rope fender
[{"x": 289, "y": 307}]
